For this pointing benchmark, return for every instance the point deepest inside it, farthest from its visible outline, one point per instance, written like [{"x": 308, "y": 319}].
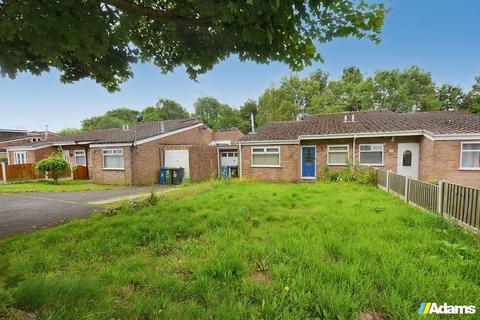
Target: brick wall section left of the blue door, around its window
[{"x": 287, "y": 172}]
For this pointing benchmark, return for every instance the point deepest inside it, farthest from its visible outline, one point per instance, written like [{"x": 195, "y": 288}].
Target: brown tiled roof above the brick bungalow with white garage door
[{"x": 118, "y": 135}]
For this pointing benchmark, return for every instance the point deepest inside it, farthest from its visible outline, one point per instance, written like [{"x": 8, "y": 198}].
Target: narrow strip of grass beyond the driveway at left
[{"x": 48, "y": 186}]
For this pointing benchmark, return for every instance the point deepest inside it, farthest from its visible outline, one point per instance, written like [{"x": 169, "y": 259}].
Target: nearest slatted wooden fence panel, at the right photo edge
[{"x": 462, "y": 203}]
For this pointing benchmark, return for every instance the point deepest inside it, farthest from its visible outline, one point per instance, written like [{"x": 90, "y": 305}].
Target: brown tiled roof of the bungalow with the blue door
[{"x": 381, "y": 121}]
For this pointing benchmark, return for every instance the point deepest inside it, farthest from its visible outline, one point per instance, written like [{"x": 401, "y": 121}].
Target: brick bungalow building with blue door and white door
[{"x": 430, "y": 146}]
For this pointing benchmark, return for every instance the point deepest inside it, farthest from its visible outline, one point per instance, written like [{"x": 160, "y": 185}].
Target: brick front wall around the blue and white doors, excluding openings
[{"x": 438, "y": 160}]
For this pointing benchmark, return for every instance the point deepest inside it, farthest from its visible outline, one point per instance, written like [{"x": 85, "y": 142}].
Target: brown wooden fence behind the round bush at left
[{"x": 25, "y": 172}]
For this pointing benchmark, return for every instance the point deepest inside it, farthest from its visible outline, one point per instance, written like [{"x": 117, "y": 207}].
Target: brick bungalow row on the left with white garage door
[{"x": 134, "y": 154}]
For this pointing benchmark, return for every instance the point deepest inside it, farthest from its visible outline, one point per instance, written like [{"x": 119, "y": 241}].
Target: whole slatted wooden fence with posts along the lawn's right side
[{"x": 458, "y": 202}]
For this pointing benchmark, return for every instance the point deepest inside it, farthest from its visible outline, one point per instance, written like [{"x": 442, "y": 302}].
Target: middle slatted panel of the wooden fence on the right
[{"x": 423, "y": 194}]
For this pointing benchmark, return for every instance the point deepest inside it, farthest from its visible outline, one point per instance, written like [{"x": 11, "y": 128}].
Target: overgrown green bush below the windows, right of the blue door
[{"x": 360, "y": 174}]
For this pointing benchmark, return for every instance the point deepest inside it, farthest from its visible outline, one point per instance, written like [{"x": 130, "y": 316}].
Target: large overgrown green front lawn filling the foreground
[{"x": 221, "y": 250}]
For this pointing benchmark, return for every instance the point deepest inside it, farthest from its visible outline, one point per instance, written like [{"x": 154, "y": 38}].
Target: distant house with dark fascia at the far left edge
[{"x": 11, "y": 137}]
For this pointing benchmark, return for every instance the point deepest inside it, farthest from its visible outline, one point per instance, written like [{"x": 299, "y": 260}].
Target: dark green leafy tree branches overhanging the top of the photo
[{"x": 100, "y": 39}]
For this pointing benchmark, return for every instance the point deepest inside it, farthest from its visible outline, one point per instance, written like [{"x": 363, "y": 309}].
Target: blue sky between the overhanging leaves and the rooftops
[{"x": 440, "y": 36}]
